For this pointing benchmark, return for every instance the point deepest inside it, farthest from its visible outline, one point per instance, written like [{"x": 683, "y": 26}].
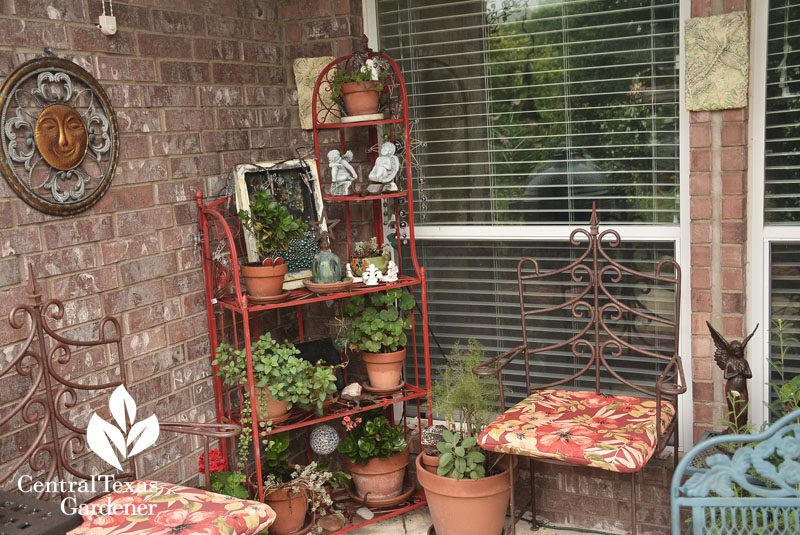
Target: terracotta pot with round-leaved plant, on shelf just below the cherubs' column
[{"x": 378, "y": 331}]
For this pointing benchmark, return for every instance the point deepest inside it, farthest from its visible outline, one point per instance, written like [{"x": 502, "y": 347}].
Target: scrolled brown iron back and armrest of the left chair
[{"x": 45, "y": 423}]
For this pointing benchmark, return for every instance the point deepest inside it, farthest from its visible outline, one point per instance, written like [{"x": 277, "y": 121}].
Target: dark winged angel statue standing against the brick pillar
[{"x": 729, "y": 356}]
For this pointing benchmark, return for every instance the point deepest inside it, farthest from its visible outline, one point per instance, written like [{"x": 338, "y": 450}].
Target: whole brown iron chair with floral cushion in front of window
[{"x": 609, "y": 322}]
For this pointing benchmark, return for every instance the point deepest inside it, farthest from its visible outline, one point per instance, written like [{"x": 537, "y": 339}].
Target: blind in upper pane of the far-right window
[{"x": 782, "y": 136}]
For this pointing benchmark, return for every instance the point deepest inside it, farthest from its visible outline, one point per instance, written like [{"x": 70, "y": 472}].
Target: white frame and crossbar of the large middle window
[{"x": 676, "y": 234}]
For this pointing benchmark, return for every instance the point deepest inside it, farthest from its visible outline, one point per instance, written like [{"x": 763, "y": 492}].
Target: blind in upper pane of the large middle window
[{"x": 531, "y": 111}]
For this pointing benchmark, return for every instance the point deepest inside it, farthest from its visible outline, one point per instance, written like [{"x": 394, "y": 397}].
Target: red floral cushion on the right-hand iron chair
[{"x": 615, "y": 433}]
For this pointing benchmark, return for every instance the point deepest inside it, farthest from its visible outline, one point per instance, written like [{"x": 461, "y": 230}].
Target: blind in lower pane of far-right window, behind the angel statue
[{"x": 784, "y": 307}]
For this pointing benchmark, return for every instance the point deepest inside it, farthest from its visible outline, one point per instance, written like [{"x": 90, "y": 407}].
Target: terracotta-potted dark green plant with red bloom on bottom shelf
[{"x": 376, "y": 455}]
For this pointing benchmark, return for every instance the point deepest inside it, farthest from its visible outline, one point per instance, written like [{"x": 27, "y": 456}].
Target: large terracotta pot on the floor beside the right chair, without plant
[{"x": 466, "y": 506}]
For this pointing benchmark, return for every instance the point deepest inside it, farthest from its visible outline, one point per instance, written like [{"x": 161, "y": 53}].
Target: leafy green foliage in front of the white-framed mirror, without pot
[{"x": 271, "y": 224}]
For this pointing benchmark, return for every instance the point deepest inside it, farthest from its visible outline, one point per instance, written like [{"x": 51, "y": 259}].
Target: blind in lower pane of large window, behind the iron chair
[{"x": 474, "y": 294}]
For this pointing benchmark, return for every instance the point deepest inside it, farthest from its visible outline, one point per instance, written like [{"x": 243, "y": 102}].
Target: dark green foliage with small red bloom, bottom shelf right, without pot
[{"x": 371, "y": 438}]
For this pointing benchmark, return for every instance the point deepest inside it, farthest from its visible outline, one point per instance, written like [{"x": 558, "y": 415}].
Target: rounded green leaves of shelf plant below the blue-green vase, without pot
[{"x": 379, "y": 327}]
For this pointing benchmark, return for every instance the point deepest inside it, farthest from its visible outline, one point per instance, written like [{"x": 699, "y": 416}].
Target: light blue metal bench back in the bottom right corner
[{"x": 753, "y": 490}]
